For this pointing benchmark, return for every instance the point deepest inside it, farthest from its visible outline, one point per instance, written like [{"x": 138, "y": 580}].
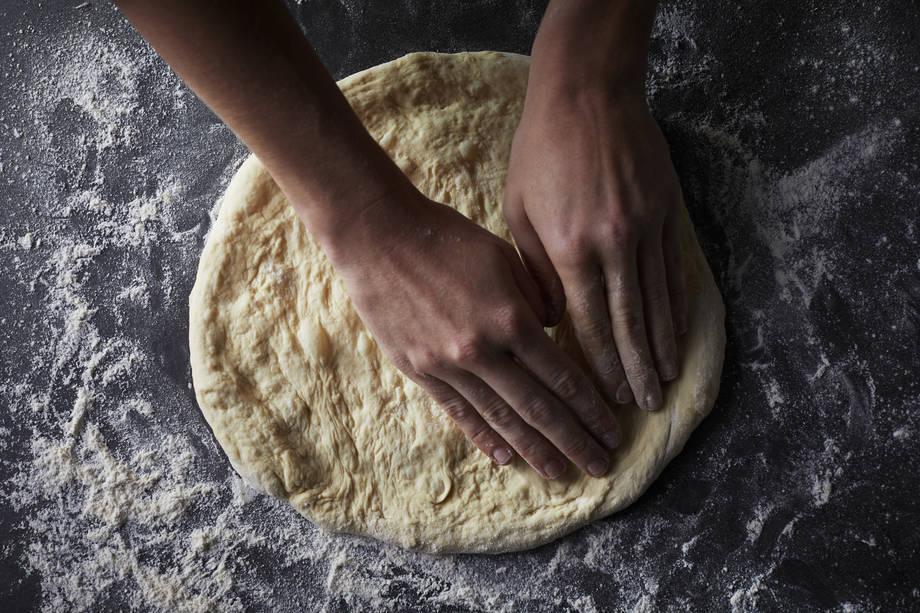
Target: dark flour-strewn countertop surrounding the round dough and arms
[{"x": 794, "y": 128}]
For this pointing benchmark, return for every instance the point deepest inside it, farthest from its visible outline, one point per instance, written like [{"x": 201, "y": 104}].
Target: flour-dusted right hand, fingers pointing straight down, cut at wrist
[{"x": 593, "y": 202}]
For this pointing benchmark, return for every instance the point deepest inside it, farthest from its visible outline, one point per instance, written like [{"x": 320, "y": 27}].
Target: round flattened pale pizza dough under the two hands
[{"x": 307, "y": 407}]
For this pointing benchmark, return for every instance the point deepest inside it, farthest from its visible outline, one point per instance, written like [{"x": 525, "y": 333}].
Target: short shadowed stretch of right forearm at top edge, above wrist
[{"x": 601, "y": 42}]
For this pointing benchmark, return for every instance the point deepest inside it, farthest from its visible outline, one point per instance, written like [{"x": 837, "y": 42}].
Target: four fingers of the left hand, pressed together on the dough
[{"x": 500, "y": 404}]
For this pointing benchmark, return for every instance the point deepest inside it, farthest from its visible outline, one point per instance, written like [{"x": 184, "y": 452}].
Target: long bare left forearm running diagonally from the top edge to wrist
[{"x": 250, "y": 63}]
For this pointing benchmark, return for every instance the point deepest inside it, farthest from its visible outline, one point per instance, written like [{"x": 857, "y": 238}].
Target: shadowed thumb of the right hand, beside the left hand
[{"x": 538, "y": 264}]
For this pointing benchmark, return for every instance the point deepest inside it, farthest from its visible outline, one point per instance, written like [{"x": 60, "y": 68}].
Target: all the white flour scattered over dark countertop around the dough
[{"x": 123, "y": 495}]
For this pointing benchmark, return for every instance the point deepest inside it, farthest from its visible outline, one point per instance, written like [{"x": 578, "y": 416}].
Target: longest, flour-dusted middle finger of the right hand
[{"x": 624, "y": 298}]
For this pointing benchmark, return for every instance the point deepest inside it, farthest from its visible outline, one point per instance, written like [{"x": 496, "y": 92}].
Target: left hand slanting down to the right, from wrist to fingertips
[{"x": 453, "y": 308}]
